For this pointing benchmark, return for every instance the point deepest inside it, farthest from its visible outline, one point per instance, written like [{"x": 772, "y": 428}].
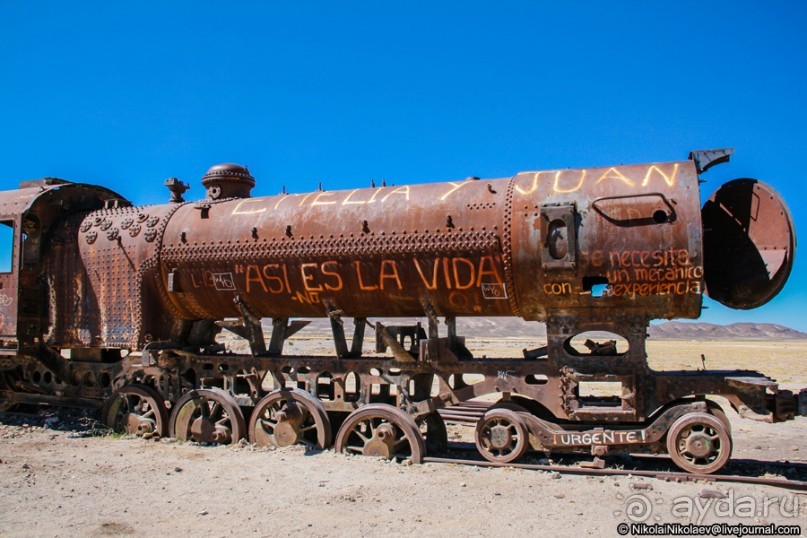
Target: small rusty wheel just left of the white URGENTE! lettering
[{"x": 501, "y": 436}]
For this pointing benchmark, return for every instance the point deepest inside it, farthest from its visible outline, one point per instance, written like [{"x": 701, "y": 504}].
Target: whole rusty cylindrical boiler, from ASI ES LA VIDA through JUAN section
[{"x": 622, "y": 237}]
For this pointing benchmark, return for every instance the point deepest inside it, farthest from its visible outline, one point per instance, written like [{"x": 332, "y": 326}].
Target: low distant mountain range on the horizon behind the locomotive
[{"x": 670, "y": 330}]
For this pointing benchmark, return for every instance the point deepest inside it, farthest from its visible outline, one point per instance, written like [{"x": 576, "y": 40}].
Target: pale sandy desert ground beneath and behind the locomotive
[{"x": 60, "y": 477}]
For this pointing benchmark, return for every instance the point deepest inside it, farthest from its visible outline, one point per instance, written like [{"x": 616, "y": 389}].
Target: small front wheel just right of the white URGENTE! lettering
[{"x": 699, "y": 443}]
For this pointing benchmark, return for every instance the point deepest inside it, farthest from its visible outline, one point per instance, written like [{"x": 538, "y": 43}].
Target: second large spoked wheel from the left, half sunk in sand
[{"x": 207, "y": 416}]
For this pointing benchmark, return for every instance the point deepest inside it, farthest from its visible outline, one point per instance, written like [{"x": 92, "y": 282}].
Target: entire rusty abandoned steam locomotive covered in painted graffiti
[{"x": 107, "y": 304}]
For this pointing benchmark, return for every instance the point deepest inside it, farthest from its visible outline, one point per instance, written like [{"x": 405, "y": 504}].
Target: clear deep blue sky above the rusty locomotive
[{"x": 126, "y": 94}]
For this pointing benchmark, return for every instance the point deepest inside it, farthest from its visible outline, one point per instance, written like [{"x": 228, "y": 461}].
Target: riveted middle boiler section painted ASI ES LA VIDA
[{"x": 387, "y": 250}]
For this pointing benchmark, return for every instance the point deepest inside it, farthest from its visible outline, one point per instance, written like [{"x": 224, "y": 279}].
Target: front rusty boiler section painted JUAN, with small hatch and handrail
[{"x": 633, "y": 241}]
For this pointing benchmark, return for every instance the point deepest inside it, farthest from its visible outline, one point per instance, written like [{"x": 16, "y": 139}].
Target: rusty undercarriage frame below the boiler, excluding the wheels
[{"x": 543, "y": 387}]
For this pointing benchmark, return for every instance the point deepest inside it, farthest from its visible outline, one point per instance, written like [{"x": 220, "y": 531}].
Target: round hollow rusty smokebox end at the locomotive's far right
[{"x": 749, "y": 243}]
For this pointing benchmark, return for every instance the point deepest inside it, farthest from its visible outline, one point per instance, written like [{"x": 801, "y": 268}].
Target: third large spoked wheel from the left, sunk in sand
[{"x": 288, "y": 417}]
